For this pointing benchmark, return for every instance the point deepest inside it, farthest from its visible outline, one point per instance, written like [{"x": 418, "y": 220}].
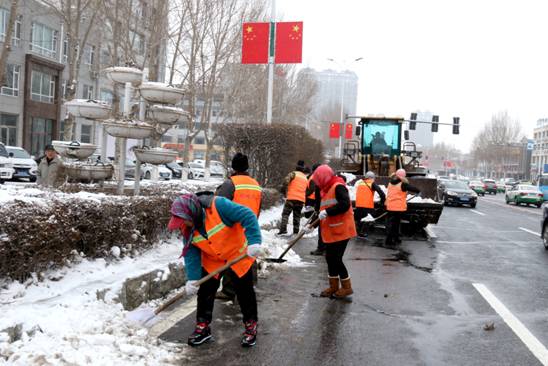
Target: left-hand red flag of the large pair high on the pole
[{"x": 255, "y": 42}]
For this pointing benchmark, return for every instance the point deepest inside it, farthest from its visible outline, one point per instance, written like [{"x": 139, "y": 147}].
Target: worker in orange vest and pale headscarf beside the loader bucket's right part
[{"x": 396, "y": 205}]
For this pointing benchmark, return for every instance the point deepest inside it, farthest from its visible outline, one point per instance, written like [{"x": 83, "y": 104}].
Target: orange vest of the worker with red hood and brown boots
[{"x": 339, "y": 227}]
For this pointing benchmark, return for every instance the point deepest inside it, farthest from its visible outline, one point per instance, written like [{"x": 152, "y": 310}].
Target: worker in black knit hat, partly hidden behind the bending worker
[{"x": 242, "y": 189}]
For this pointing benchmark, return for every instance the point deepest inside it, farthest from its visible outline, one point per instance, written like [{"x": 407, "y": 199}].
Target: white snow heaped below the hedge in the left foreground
[{"x": 73, "y": 325}]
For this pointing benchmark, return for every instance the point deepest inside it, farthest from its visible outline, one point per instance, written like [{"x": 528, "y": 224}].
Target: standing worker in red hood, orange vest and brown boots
[{"x": 337, "y": 227}]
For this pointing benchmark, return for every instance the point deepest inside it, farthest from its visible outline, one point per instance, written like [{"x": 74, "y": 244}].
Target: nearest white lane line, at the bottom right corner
[{"x": 534, "y": 345}]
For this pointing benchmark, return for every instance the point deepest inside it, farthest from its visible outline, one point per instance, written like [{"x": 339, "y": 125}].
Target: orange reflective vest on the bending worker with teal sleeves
[{"x": 223, "y": 243}]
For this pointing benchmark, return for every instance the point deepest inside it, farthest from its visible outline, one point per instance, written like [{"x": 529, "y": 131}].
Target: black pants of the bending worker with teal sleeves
[{"x": 244, "y": 292}]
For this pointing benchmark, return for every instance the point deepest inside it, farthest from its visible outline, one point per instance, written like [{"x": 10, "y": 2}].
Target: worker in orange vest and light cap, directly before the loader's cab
[{"x": 365, "y": 200}]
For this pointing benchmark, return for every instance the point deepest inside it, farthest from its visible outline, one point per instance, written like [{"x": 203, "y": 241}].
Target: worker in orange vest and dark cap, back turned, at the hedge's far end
[{"x": 295, "y": 184}]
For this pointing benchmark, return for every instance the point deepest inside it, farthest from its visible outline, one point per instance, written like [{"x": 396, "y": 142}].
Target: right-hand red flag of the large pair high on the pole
[{"x": 289, "y": 43}]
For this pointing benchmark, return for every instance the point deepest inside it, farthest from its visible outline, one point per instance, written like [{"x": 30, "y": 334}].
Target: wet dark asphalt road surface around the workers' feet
[{"x": 414, "y": 308}]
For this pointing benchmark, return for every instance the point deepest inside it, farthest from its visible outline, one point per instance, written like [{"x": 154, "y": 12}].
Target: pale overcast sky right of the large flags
[{"x": 466, "y": 58}]
